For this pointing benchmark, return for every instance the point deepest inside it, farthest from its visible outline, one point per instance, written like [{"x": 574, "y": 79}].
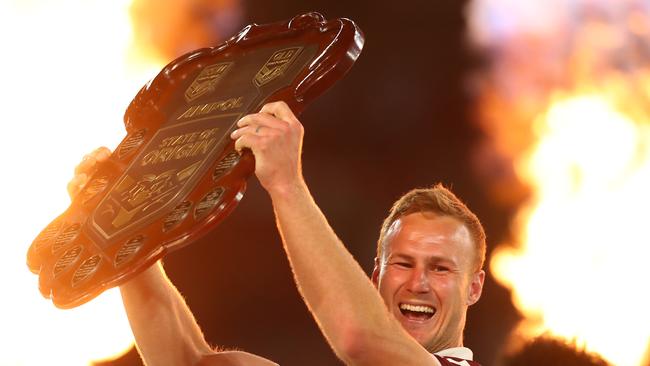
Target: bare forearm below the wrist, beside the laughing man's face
[{"x": 344, "y": 302}]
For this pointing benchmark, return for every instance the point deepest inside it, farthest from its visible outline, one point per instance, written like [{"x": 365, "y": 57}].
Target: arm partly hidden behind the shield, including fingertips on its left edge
[{"x": 165, "y": 329}]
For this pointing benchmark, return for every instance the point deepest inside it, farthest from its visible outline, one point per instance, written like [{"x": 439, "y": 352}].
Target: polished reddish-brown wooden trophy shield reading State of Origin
[{"x": 176, "y": 174}]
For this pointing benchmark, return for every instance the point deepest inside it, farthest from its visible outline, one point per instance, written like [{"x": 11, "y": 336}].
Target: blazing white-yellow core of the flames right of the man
[{"x": 581, "y": 271}]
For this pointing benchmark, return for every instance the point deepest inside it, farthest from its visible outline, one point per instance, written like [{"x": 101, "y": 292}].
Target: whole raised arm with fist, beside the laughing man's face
[{"x": 345, "y": 304}]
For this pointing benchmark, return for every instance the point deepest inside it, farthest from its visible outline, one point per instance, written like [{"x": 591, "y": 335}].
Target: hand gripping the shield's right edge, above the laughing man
[{"x": 274, "y": 135}]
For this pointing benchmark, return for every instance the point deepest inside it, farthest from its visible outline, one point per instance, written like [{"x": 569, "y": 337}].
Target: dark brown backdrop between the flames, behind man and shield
[{"x": 402, "y": 118}]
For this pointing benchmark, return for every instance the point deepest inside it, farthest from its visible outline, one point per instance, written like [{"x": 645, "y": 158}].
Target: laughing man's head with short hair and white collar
[{"x": 428, "y": 269}]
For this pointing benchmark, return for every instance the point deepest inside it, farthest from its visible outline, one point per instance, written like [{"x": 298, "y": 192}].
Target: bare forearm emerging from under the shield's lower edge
[{"x": 165, "y": 330}]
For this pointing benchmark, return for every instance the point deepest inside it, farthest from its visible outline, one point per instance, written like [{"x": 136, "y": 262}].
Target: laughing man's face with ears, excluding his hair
[{"x": 427, "y": 278}]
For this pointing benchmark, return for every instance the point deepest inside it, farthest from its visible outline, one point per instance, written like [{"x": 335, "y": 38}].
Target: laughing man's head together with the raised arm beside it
[{"x": 428, "y": 268}]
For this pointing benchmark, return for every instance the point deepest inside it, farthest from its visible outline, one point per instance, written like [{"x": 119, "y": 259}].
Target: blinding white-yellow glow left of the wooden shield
[{"x": 67, "y": 78}]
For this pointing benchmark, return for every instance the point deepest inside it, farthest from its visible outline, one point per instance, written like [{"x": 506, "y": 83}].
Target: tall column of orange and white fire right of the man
[{"x": 566, "y": 99}]
